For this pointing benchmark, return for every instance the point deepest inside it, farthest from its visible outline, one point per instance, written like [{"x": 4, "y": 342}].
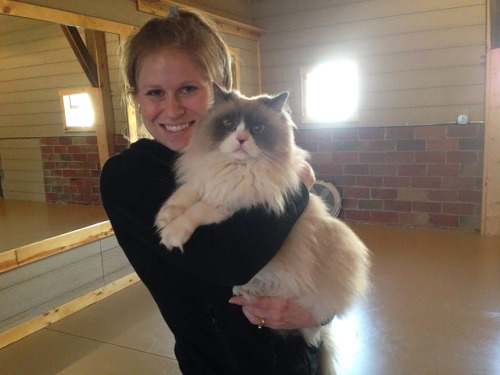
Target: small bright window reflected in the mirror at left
[{"x": 81, "y": 108}]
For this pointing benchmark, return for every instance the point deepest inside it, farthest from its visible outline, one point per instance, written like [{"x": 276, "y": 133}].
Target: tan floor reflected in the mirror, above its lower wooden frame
[{"x": 24, "y": 222}]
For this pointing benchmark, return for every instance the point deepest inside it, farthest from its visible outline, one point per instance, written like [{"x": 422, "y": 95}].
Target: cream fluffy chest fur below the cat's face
[{"x": 234, "y": 184}]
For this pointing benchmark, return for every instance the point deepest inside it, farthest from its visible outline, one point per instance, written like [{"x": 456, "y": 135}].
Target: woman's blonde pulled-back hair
[{"x": 188, "y": 30}]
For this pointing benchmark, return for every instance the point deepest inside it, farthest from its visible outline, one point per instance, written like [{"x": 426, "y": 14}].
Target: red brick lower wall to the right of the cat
[{"x": 427, "y": 176}]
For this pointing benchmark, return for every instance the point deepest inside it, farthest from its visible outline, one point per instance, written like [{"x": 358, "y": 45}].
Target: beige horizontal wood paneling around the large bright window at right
[{"x": 421, "y": 62}]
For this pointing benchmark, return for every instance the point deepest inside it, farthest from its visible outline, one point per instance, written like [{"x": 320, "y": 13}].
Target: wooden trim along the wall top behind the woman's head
[{"x": 225, "y": 25}]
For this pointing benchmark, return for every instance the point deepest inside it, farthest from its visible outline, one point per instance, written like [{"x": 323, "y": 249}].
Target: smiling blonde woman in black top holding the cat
[{"x": 169, "y": 66}]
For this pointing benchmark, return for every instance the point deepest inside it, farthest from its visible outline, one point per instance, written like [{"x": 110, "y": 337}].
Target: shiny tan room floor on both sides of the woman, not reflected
[{"x": 434, "y": 308}]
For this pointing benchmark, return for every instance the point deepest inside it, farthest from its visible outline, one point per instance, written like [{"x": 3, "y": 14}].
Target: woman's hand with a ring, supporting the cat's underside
[{"x": 275, "y": 313}]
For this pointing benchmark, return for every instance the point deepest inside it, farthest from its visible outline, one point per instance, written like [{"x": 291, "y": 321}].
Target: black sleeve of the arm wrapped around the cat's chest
[{"x": 228, "y": 253}]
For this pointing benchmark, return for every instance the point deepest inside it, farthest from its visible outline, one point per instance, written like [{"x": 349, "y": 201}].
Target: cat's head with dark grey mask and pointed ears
[{"x": 248, "y": 129}]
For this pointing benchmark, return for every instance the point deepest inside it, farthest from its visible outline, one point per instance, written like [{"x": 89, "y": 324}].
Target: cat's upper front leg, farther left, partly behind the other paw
[{"x": 179, "y": 202}]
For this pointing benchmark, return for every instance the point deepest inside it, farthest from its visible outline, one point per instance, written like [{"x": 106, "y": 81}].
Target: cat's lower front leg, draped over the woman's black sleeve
[{"x": 178, "y": 232}]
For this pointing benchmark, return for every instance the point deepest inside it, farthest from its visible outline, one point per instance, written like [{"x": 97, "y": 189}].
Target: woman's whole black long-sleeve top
[{"x": 192, "y": 289}]
